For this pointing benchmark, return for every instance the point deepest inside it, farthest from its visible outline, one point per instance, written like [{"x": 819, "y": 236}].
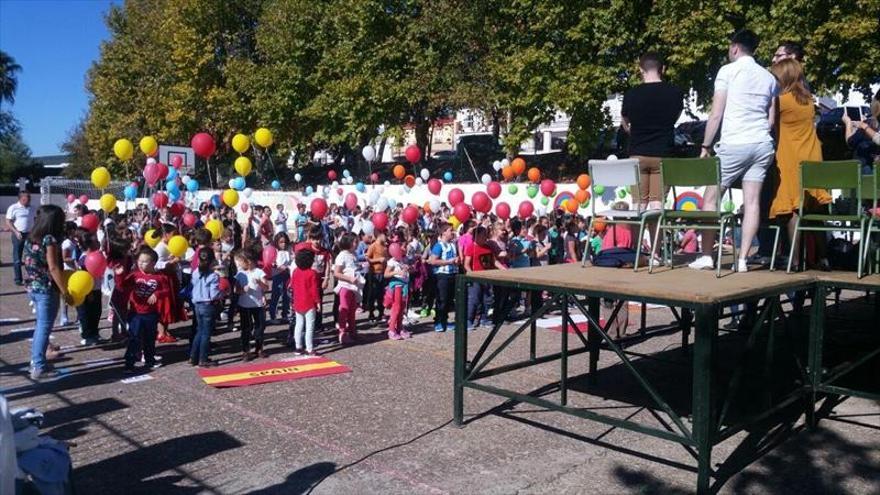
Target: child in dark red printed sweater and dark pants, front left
[{"x": 145, "y": 287}]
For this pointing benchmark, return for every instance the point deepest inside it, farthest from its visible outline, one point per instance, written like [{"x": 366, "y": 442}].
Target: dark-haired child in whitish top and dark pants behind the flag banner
[{"x": 250, "y": 283}]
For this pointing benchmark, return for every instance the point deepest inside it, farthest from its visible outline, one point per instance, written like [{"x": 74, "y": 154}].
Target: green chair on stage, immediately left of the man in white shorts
[{"x": 692, "y": 172}]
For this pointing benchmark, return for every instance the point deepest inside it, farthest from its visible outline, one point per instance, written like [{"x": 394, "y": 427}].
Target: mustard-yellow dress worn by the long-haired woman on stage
[{"x": 797, "y": 142}]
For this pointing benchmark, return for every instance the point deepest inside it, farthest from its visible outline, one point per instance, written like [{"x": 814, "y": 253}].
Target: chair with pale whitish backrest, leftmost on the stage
[{"x": 617, "y": 173}]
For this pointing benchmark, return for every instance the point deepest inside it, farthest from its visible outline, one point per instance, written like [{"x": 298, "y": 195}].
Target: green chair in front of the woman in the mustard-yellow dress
[{"x": 842, "y": 175}]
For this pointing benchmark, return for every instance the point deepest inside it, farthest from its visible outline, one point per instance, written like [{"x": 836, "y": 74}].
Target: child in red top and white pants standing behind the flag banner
[{"x": 305, "y": 285}]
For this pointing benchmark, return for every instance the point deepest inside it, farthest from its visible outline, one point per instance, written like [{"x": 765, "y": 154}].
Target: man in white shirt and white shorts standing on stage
[{"x": 744, "y": 99}]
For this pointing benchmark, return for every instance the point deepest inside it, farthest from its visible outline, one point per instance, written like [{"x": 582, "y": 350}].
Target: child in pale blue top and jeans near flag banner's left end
[{"x": 205, "y": 296}]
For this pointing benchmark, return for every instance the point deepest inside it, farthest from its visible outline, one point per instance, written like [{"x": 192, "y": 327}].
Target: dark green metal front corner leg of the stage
[{"x": 703, "y": 402}]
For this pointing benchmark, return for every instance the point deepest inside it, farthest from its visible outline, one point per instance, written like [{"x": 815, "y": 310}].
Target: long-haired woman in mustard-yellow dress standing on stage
[{"x": 796, "y": 142}]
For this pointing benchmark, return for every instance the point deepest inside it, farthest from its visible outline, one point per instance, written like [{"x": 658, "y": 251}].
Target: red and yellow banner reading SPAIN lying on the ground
[{"x": 278, "y": 371}]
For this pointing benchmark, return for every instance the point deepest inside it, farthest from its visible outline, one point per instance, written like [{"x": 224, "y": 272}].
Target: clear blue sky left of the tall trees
[{"x": 55, "y": 43}]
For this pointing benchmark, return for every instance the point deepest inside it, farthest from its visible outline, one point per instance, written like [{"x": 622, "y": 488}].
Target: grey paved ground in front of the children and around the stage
[{"x": 386, "y": 427}]
